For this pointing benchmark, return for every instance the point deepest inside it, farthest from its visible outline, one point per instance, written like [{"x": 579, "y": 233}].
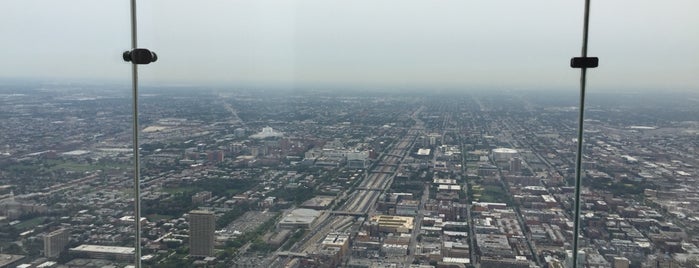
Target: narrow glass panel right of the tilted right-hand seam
[{"x": 641, "y": 137}]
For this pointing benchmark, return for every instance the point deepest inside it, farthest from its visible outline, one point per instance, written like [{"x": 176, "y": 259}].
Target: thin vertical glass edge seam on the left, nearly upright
[{"x": 136, "y": 155}]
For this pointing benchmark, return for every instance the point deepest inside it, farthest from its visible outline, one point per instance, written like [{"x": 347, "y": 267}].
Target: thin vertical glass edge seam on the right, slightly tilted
[{"x": 581, "y": 120}]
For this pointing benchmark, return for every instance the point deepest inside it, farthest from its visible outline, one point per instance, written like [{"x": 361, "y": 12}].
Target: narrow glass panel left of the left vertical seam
[{"x": 66, "y": 137}]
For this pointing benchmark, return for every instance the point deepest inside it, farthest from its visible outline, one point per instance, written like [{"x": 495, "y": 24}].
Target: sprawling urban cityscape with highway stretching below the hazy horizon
[{"x": 250, "y": 177}]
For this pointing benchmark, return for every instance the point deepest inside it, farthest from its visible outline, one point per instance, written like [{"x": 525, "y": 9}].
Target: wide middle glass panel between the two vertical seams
[{"x": 317, "y": 133}]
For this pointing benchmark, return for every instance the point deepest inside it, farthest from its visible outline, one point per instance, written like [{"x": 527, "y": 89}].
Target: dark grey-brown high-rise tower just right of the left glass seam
[{"x": 202, "y": 225}]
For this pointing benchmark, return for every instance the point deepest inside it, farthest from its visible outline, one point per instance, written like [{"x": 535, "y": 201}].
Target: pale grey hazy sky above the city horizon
[{"x": 456, "y": 43}]
